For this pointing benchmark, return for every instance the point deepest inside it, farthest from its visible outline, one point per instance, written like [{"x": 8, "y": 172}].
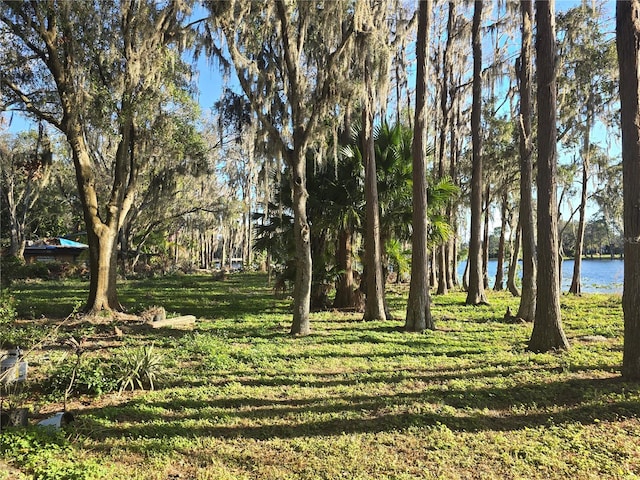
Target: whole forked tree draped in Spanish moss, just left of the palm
[{"x": 291, "y": 60}]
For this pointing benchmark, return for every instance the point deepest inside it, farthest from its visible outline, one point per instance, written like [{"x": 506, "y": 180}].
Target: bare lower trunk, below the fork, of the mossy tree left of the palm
[{"x": 302, "y": 234}]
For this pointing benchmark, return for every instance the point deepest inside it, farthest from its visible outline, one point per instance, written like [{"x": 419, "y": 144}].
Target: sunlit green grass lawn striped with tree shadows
[{"x": 238, "y": 398}]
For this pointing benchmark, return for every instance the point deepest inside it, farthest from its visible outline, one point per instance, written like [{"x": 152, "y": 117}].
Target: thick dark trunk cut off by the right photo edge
[{"x": 628, "y": 43}]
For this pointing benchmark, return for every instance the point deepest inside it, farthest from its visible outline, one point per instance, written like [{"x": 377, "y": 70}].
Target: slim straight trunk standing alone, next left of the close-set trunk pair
[{"x": 476, "y": 294}]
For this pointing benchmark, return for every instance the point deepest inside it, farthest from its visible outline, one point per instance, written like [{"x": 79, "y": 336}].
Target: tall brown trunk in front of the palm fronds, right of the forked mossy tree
[{"x": 374, "y": 305}]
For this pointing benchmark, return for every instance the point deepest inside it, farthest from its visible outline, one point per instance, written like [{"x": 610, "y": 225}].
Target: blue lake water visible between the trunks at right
[{"x": 598, "y": 276}]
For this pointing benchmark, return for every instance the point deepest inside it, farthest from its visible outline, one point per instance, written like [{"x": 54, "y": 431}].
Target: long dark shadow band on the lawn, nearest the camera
[{"x": 474, "y": 410}]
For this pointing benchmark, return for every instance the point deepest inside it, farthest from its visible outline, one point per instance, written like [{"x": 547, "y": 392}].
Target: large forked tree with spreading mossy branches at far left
[{"x": 102, "y": 65}]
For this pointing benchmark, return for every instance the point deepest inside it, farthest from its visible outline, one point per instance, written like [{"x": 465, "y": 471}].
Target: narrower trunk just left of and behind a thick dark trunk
[{"x": 527, "y": 307}]
